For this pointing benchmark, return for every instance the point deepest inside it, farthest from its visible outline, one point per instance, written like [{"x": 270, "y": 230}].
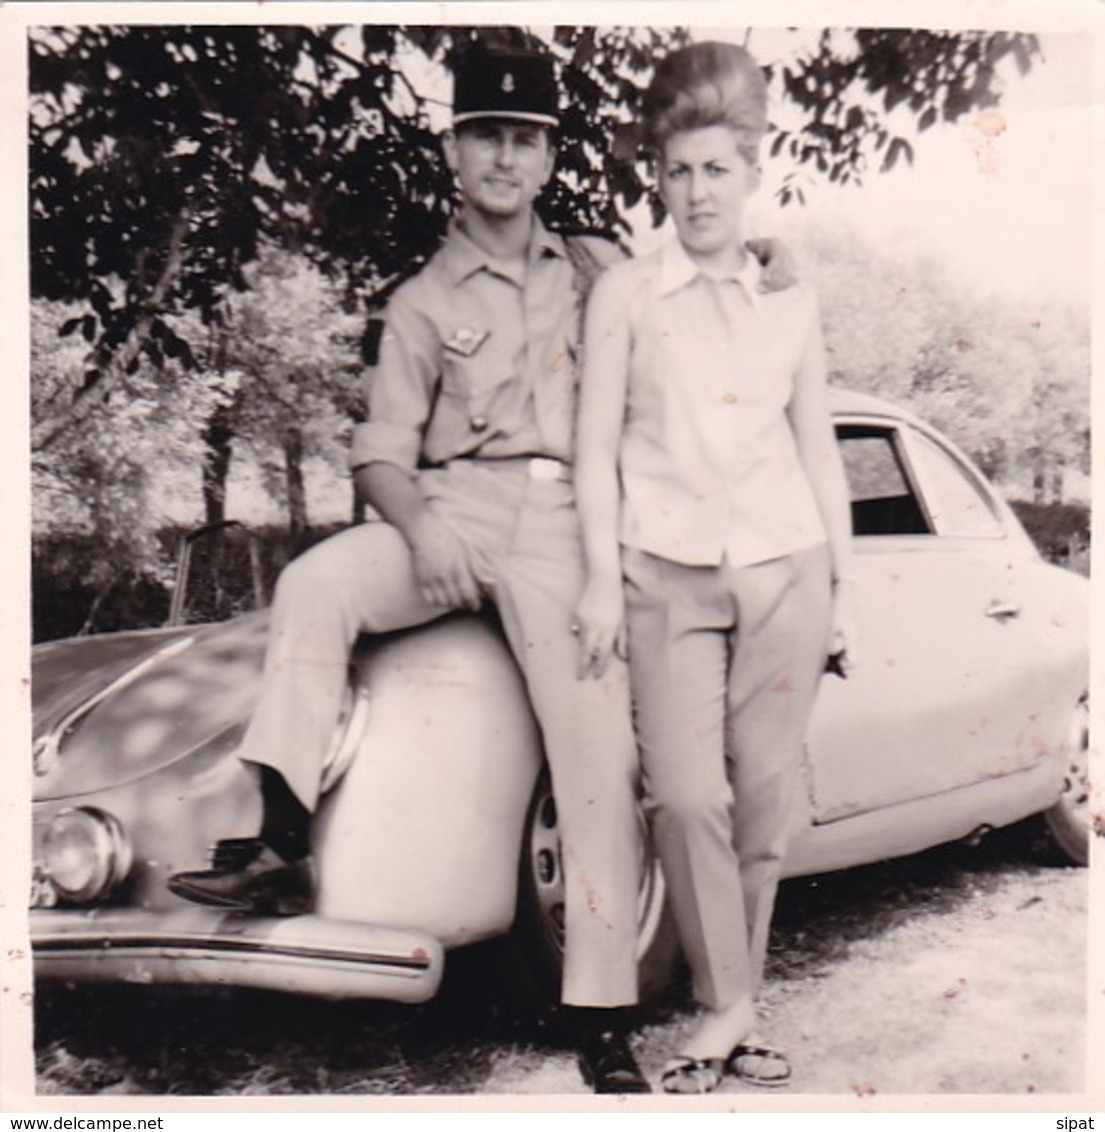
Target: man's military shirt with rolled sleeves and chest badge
[{"x": 479, "y": 359}]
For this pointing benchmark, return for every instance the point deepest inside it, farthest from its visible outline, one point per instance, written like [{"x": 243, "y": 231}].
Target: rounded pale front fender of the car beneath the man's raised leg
[{"x": 424, "y": 830}]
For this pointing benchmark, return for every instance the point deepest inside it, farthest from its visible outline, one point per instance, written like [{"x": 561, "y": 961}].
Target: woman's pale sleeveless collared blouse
[{"x": 709, "y": 465}]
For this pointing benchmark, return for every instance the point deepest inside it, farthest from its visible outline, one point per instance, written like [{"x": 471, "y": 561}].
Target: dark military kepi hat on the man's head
[{"x": 506, "y": 84}]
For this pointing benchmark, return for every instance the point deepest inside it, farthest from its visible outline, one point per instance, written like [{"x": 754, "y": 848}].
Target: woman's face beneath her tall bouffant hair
[{"x": 705, "y": 183}]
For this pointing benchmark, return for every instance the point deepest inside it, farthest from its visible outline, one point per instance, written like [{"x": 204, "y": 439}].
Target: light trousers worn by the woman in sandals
[{"x": 725, "y": 663}]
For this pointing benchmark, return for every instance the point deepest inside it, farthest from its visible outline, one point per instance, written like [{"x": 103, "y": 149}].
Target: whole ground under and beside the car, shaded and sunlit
[{"x": 962, "y": 971}]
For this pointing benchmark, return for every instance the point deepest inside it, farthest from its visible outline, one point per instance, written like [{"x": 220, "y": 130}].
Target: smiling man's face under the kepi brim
[{"x": 502, "y": 166}]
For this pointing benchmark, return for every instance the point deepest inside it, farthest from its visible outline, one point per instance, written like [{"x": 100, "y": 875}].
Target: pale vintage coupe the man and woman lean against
[{"x": 970, "y": 711}]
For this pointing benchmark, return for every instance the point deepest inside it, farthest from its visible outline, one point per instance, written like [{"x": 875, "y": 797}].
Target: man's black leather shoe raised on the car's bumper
[{"x": 247, "y": 876}]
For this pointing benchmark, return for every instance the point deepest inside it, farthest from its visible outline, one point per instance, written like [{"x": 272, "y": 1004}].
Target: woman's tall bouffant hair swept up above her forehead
[{"x": 708, "y": 84}]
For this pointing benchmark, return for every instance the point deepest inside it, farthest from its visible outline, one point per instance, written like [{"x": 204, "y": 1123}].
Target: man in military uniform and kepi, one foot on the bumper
[{"x": 467, "y": 454}]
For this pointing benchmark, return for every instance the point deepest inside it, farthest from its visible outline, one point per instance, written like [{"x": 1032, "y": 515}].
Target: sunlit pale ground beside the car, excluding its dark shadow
[{"x": 984, "y": 999}]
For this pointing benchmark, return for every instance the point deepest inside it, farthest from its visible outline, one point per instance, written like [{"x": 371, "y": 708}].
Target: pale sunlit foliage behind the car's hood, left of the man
[{"x": 282, "y": 364}]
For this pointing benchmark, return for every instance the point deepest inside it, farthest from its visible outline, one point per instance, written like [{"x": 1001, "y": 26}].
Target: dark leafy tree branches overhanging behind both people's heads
[{"x": 162, "y": 158}]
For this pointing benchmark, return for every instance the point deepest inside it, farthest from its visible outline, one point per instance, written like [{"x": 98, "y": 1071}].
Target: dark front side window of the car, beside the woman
[{"x": 884, "y": 501}]
